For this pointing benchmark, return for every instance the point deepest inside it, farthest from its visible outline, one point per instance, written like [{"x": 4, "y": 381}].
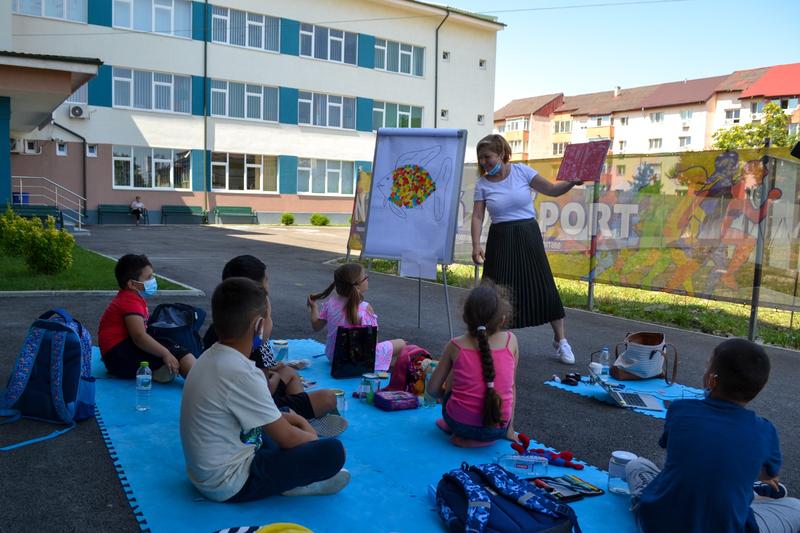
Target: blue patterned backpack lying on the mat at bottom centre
[{"x": 489, "y": 499}]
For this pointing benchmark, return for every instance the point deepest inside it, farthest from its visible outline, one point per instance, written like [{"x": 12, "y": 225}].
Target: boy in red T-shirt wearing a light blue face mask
[{"x": 122, "y": 335}]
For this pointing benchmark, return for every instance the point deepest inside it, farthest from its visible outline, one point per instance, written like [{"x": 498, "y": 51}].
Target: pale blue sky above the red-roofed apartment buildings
[{"x": 592, "y": 49}]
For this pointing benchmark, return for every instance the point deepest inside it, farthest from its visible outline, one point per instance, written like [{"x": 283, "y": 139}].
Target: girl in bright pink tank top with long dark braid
[{"x": 476, "y": 373}]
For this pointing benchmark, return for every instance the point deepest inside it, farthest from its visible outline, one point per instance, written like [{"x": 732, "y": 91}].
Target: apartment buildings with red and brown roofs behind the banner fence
[{"x": 655, "y": 119}]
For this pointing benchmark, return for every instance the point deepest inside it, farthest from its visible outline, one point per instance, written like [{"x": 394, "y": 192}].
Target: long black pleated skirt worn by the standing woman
[{"x": 515, "y": 258}]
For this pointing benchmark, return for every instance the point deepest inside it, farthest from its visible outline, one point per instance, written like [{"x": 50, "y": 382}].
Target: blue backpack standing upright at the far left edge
[{"x": 52, "y": 377}]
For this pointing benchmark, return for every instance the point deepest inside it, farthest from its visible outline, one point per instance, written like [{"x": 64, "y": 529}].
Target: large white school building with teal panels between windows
[{"x": 267, "y": 105}]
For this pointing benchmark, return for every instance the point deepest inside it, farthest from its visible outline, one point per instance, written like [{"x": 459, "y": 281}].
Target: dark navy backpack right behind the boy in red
[{"x": 180, "y": 323}]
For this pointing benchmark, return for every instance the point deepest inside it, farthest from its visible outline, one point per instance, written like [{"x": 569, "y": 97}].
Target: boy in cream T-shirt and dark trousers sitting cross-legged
[{"x": 237, "y": 445}]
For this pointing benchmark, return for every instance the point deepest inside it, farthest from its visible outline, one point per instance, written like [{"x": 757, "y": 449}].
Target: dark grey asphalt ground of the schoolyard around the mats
[{"x": 69, "y": 484}]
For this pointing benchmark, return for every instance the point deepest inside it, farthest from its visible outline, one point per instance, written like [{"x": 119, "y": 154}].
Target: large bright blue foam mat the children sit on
[{"x": 393, "y": 458}]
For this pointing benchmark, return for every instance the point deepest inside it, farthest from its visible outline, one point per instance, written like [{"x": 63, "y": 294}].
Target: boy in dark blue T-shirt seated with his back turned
[{"x": 718, "y": 453}]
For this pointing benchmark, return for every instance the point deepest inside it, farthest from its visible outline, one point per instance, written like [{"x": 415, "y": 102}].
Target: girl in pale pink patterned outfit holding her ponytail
[{"x": 347, "y": 308}]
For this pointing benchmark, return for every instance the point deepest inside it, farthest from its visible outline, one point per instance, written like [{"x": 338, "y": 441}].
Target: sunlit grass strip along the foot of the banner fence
[{"x": 718, "y": 318}]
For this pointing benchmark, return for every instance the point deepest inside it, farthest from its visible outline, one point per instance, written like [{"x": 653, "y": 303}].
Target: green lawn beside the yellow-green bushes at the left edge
[{"x": 89, "y": 271}]
